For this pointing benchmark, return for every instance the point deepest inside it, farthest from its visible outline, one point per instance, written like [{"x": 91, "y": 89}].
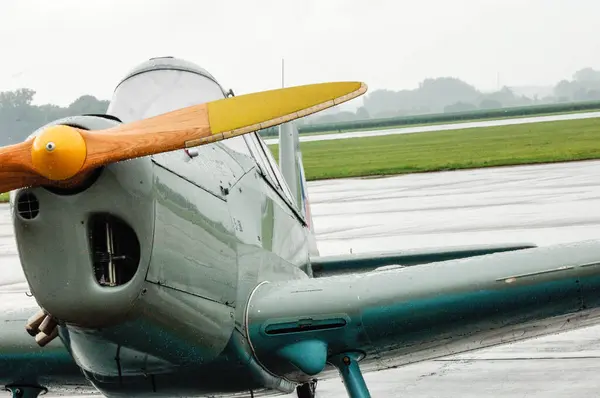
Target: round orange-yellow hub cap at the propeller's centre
[{"x": 58, "y": 152}]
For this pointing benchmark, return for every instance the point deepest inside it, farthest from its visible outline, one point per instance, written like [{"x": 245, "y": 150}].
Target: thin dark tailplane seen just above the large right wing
[{"x": 351, "y": 263}]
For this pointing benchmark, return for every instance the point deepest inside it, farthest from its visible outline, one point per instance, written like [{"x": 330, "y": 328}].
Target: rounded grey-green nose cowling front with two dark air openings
[{"x": 85, "y": 254}]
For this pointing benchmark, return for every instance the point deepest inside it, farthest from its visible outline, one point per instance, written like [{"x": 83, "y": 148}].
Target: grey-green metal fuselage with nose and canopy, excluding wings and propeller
[{"x": 150, "y": 268}]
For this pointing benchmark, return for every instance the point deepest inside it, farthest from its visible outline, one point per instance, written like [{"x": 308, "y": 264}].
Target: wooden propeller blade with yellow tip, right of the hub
[{"x": 214, "y": 121}]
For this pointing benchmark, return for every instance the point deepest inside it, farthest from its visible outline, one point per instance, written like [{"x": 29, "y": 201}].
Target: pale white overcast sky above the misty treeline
[{"x": 66, "y": 48}]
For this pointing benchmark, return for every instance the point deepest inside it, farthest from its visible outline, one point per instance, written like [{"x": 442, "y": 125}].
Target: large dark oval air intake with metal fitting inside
[{"x": 115, "y": 250}]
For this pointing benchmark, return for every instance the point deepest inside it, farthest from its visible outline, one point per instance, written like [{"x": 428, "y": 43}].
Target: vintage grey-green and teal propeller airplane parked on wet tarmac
[{"x": 167, "y": 253}]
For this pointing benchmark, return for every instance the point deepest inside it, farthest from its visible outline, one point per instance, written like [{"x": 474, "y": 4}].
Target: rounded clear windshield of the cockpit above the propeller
[{"x": 159, "y": 91}]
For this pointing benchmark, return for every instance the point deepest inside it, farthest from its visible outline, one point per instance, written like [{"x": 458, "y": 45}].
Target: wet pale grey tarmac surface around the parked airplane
[{"x": 544, "y": 204}]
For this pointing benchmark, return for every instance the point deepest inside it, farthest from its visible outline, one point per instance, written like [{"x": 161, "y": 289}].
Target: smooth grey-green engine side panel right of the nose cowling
[{"x": 193, "y": 249}]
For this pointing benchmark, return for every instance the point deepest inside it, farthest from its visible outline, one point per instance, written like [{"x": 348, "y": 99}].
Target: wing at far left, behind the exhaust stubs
[{"x": 21, "y": 359}]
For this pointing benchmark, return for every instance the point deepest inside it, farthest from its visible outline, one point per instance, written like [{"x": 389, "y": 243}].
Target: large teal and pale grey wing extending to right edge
[{"x": 404, "y": 315}]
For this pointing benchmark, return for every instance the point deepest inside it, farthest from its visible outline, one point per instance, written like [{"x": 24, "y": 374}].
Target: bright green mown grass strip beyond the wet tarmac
[{"x": 451, "y": 150}]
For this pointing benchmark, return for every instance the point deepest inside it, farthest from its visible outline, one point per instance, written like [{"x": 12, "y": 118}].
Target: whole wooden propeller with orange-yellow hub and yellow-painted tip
[{"x": 62, "y": 154}]
